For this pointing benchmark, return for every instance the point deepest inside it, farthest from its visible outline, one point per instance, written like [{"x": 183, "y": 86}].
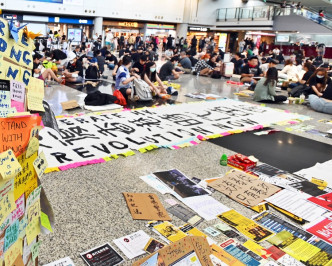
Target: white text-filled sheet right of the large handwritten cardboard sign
[{"x": 296, "y": 203}]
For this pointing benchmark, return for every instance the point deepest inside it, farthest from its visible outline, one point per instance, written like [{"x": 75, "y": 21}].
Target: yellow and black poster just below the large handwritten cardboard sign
[{"x": 245, "y": 225}]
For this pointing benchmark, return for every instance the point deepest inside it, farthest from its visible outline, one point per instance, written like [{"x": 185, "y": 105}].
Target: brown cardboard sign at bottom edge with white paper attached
[{"x": 187, "y": 251}]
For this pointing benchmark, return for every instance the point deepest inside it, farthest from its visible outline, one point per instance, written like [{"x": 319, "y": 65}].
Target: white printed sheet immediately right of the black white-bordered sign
[{"x": 133, "y": 245}]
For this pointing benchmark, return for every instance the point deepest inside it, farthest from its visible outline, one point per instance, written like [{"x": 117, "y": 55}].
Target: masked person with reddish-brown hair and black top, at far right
[{"x": 318, "y": 82}]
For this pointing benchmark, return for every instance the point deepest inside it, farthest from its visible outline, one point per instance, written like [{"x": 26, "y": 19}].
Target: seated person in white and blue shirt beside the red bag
[{"x": 123, "y": 81}]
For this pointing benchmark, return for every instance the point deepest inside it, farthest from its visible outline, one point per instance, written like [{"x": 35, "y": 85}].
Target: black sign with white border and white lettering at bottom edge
[{"x": 102, "y": 255}]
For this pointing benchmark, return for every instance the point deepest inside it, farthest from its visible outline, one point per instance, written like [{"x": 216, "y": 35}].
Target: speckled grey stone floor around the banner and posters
[{"x": 88, "y": 204}]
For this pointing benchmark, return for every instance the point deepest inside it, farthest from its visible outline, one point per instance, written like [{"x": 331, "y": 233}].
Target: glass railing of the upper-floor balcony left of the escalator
[{"x": 251, "y": 13}]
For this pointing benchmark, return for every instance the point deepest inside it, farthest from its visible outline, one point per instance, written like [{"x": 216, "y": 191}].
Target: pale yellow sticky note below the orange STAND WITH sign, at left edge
[{"x": 9, "y": 166}]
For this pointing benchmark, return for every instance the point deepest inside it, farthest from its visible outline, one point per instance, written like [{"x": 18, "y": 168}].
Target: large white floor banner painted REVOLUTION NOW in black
[{"x": 92, "y": 137}]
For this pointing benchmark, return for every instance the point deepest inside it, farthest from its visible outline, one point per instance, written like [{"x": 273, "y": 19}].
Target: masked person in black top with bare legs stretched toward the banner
[{"x": 150, "y": 76}]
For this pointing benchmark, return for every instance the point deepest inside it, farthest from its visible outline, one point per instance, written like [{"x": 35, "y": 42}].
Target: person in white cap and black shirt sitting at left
[{"x": 74, "y": 70}]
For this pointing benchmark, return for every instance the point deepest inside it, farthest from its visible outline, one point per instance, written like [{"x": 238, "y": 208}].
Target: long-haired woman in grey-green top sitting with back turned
[{"x": 265, "y": 88}]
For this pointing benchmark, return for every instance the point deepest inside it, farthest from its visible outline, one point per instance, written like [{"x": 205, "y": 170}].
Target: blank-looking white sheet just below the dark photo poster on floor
[{"x": 206, "y": 206}]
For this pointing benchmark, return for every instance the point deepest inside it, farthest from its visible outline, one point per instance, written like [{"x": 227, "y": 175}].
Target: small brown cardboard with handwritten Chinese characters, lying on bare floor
[{"x": 146, "y": 206}]
